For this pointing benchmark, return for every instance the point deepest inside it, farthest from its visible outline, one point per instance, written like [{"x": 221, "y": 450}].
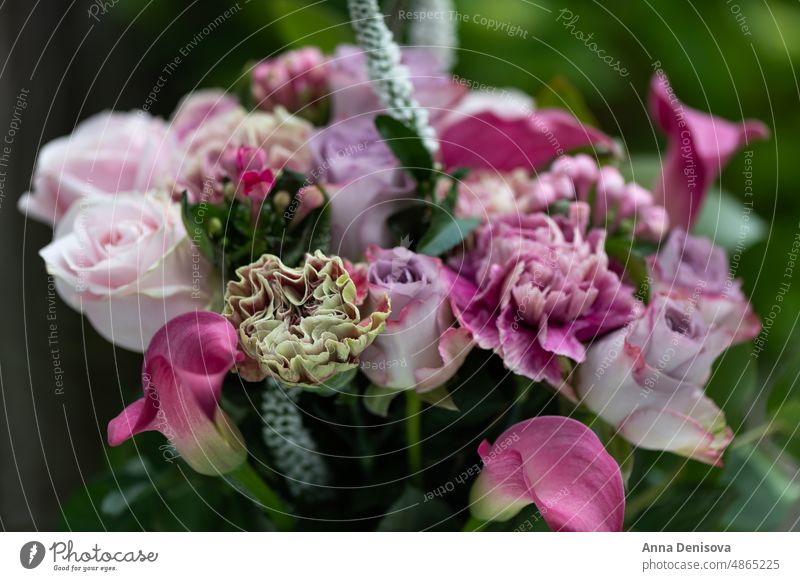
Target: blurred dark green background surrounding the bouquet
[{"x": 735, "y": 59}]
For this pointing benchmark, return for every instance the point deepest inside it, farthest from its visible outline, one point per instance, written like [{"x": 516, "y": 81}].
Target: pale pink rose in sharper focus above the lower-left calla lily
[{"x": 128, "y": 265}]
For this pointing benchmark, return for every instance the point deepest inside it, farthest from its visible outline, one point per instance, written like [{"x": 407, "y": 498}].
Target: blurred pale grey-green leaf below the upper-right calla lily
[{"x": 729, "y": 222}]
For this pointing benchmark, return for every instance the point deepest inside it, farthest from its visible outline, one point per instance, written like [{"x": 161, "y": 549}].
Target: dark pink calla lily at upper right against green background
[{"x": 700, "y": 145}]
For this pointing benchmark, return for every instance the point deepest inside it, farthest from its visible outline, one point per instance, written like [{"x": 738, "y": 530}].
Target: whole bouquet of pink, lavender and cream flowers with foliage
[{"x": 362, "y": 229}]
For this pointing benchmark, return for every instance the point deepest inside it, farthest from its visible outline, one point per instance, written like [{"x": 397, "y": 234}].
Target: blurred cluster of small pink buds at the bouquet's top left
[{"x": 296, "y": 80}]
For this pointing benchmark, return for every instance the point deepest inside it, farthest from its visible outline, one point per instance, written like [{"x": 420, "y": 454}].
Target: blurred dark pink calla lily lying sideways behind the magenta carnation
[{"x": 489, "y": 140}]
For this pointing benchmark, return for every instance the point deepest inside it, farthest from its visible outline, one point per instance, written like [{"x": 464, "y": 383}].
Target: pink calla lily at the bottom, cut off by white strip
[{"x": 559, "y": 465}]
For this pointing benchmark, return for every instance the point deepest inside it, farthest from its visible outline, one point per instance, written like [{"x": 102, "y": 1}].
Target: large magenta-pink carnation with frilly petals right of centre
[{"x": 536, "y": 288}]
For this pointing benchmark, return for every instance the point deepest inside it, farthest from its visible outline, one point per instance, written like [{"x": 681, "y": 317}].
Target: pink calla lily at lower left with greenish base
[{"x": 184, "y": 368}]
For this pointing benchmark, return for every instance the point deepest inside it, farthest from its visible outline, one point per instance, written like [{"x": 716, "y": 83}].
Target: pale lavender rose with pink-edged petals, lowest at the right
[{"x": 647, "y": 380}]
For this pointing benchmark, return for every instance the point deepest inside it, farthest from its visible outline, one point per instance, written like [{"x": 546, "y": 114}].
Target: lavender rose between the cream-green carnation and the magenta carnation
[{"x": 421, "y": 348}]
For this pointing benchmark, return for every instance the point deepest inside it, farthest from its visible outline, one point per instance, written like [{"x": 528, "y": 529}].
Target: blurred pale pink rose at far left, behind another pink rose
[{"x": 106, "y": 154}]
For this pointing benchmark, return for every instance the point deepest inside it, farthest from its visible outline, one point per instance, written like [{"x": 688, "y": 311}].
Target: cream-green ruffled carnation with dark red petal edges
[{"x": 301, "y": 326}]
